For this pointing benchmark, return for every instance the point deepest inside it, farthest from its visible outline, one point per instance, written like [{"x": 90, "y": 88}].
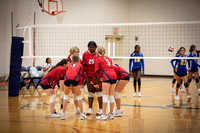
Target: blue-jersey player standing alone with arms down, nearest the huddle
[{"x": 135, "y": 69}]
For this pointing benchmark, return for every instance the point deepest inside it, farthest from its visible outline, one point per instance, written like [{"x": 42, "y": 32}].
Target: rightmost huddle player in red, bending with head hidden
[{"x": 123, "y": 78}]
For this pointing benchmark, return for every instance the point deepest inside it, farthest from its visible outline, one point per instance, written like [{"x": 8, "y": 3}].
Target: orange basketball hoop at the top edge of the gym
[{"x": 52, "y": 7}]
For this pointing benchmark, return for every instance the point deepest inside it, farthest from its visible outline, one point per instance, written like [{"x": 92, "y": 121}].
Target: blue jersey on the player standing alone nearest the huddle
[{"x": 137, "y": 63}]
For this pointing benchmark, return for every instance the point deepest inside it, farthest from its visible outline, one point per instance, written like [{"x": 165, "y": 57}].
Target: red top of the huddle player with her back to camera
[{"x": 75, "y": 73}]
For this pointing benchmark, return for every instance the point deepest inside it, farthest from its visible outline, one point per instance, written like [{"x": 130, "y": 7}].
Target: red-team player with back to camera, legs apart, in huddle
[{"x": 73, "y": 77}]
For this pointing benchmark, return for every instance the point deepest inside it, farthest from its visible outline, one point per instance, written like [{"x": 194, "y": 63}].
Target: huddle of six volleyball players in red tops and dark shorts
[{"x": 99, "y": 74}]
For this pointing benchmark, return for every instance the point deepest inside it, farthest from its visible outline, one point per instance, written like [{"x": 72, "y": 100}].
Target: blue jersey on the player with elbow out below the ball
[{"x": 181, "y": 69}]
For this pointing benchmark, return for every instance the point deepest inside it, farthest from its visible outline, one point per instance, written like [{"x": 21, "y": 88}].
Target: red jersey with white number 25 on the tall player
[{"x": 88, "y": 64}]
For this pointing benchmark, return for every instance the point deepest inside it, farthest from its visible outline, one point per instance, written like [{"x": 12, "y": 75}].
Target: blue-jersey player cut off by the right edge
[{"x": 194, "y": 67}]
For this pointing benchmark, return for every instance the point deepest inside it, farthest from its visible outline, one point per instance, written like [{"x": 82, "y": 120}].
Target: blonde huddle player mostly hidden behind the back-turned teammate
[{"x": 73, "y": 51}]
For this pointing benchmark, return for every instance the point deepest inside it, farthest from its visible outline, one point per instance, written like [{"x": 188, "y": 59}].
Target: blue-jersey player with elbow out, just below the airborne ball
[{"x": 181, "y": 71}]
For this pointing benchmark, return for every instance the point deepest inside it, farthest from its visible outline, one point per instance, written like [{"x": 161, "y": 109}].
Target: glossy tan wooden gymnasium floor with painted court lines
[{"x": 155, "y": 112}]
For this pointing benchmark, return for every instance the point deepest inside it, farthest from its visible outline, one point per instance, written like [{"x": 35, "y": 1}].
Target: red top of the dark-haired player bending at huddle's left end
[{"x": 53, "y": 76}]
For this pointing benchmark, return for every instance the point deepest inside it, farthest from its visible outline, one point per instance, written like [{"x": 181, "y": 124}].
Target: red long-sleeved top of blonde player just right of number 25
[{"x": 102, "y": 66}]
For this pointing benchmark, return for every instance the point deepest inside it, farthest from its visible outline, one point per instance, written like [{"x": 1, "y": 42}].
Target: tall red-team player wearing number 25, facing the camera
[{"x": 88, "y": 71}]
